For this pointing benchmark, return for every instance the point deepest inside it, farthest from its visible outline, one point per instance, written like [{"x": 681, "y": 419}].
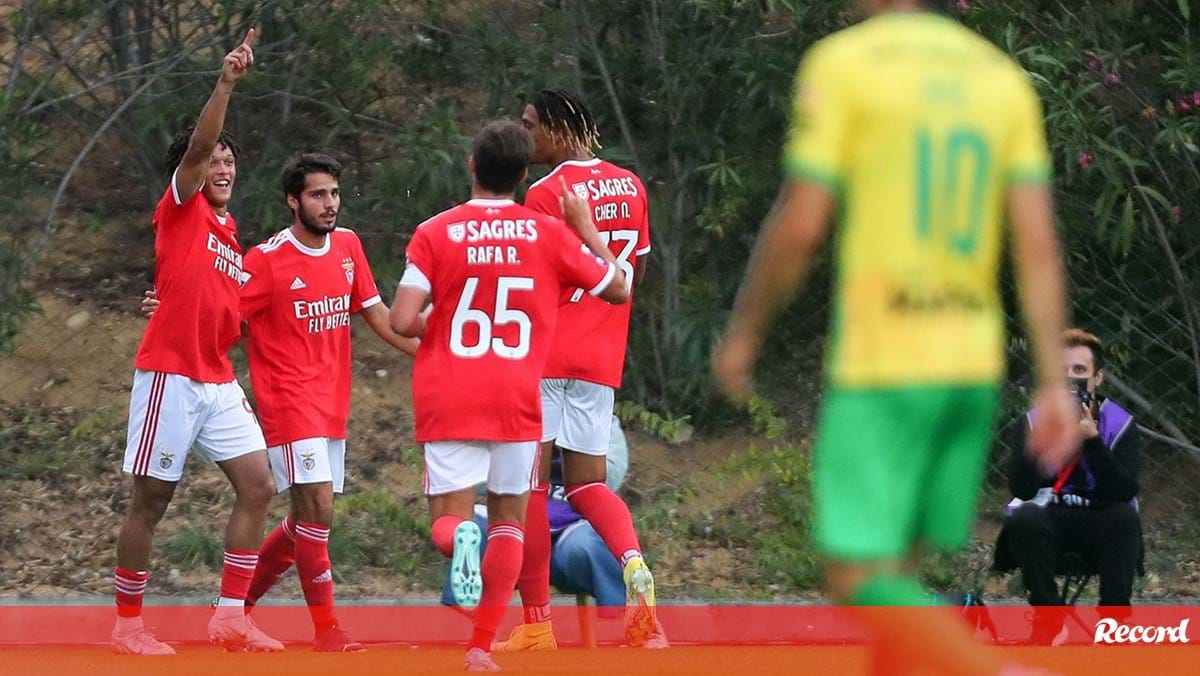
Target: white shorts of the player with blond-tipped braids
[{"x": 577, "y": 415}]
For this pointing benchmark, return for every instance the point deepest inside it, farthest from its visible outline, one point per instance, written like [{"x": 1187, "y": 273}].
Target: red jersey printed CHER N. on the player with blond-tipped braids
[{"x": 590, "y": 344}]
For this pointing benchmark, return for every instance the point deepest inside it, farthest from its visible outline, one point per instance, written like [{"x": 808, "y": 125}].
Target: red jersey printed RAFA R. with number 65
[{"x": 496, "y": 272}]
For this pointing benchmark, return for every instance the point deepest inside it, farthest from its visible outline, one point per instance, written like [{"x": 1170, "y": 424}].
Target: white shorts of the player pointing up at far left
[{"x": 170, "y": 415}]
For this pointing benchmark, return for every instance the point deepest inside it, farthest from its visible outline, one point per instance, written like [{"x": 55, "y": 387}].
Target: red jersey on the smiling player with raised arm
[{"x": 197, "y": 268}]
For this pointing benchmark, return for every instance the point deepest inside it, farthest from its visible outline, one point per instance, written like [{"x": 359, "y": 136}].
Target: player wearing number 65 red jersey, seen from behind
[{"x": 495, "y": 272}]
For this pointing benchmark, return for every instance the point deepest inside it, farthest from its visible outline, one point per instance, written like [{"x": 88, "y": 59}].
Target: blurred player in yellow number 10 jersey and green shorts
[{"x": 922, "y": 134}]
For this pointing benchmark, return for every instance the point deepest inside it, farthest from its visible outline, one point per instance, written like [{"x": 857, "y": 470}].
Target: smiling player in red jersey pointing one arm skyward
[{"x": 184, "y": 393}]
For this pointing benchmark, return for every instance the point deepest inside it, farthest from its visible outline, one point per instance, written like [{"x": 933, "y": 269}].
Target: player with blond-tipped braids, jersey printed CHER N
[{"x": 585, "y": 370}]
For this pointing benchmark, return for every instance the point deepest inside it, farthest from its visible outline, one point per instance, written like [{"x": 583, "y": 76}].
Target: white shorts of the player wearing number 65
[{"x": 508, "y": 468}]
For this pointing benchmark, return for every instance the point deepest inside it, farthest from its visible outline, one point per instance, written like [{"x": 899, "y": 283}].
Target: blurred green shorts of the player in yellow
[{"x": 899, "y": 466}]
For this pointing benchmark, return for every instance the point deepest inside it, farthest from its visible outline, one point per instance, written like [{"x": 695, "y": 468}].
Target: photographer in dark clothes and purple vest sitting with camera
[{"x": 1089, "y": 510}]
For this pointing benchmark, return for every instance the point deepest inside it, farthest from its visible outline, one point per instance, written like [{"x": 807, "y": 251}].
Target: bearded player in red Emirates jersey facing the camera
[{"x": 299, "y": 290}]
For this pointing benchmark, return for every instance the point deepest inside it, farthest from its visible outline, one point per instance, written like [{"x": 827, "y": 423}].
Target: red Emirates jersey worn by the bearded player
[{"x": 298, "y": 302}]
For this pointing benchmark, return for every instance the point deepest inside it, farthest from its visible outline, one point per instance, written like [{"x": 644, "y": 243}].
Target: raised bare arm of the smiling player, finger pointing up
[{"x": 195, "y": 165}]
